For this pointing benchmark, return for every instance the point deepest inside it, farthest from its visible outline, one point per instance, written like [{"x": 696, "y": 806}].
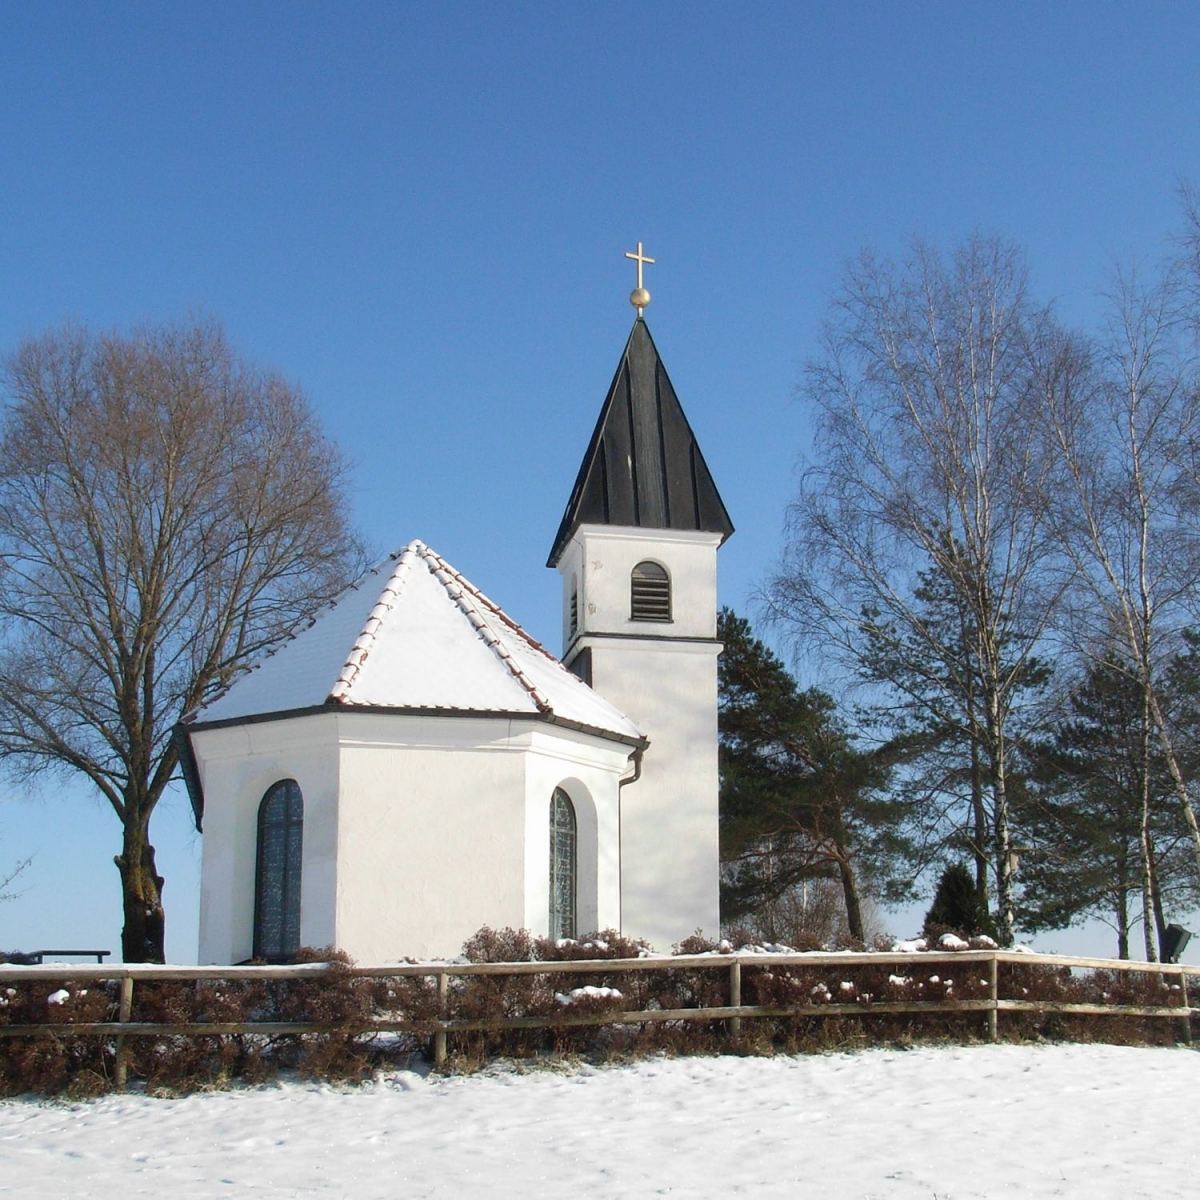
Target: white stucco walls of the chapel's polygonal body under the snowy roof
[{"x": 418, "y": 830}]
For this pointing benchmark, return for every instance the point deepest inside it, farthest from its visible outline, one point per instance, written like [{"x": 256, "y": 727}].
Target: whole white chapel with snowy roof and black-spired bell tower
[{"x": 413, "y": 765}]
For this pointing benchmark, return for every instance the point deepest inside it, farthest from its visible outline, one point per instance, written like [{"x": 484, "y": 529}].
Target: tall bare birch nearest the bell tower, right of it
[{"x": 929, "y": 467}]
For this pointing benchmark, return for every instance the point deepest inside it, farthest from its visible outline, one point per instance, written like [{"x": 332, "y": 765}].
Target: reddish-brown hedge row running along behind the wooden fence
[{"x": 85, "y": 1065}]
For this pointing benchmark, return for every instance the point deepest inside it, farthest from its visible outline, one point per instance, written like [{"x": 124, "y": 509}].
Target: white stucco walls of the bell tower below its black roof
[{"x": 663, "y": 676}]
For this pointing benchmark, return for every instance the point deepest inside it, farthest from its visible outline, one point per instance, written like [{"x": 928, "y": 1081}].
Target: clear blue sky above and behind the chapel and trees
[{"x": 418, "y": 213}]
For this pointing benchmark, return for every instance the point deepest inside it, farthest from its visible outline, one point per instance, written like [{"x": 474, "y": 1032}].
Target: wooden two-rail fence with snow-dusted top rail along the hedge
[{"x": 991, "y": 1005}]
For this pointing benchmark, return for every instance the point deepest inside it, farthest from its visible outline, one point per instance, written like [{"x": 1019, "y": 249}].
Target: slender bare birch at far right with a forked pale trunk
[{"x": 1127, "y": 433}]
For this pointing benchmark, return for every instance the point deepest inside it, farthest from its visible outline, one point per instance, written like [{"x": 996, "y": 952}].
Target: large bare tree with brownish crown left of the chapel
[{"x": 167, "y": 513}]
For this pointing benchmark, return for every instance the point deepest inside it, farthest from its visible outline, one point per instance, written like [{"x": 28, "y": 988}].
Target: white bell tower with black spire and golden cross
[{"x": 638, "y": 555}]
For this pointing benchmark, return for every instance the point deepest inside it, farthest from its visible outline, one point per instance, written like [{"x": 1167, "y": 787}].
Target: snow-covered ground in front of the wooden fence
[{"x": 937, "y": 1123}]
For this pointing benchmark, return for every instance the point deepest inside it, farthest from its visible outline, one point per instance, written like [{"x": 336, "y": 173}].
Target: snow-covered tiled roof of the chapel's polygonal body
[{"x": 416, "y": 635}]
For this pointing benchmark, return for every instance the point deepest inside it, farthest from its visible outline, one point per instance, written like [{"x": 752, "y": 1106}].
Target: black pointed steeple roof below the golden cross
[{"x": 643, "y": 466}]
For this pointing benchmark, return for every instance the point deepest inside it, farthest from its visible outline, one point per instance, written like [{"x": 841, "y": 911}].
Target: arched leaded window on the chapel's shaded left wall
[{"x": 278, "y": 878}]
